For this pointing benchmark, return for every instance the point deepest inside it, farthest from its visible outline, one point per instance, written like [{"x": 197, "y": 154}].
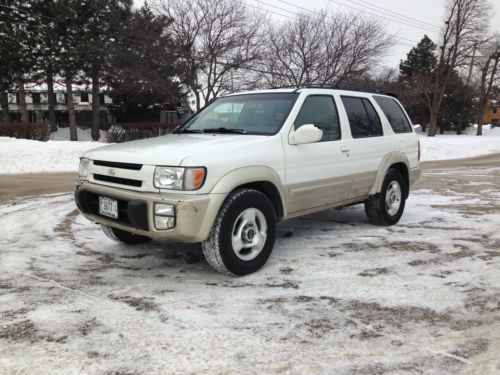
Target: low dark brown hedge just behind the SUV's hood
[{"x": 118, "y": 133}]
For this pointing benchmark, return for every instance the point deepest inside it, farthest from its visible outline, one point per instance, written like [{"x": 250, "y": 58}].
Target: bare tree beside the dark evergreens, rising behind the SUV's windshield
[{"x": 216, "y": 40}]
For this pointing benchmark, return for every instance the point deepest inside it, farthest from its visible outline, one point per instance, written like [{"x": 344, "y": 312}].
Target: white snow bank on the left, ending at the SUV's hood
[{"x": 27, "y": 156}]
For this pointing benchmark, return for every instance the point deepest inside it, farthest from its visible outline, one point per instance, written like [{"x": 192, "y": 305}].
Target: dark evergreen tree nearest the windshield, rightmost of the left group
[{"x": 144, "y": 67}]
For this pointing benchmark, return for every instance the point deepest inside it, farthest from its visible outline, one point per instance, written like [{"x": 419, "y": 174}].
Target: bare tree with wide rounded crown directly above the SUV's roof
[{"x": 323, "y": 48}]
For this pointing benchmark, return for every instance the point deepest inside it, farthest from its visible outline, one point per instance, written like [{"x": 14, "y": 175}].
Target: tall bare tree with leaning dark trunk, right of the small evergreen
[{"x": 464, "y": 26}]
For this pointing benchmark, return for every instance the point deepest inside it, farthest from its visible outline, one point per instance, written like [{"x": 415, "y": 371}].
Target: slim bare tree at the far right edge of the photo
[{"x": 489, "y": 67}]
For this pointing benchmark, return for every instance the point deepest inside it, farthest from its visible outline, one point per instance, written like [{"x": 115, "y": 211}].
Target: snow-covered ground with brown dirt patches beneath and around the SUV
[{"x": 338, "y": 296}]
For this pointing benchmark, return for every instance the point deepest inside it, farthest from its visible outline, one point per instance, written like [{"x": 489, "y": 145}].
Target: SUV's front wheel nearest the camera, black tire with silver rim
[{"x": 218, "y": 248}]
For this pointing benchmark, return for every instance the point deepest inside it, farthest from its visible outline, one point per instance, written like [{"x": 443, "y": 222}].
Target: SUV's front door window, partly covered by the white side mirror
[{"x": 320, "y": 110}]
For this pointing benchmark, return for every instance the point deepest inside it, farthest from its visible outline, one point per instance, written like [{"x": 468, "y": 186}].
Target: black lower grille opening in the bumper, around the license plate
[{"x": 133, "y": 213}]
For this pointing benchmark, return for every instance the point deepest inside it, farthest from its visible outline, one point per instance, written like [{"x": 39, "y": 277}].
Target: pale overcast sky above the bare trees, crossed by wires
[{"x": 400, "y": 17}]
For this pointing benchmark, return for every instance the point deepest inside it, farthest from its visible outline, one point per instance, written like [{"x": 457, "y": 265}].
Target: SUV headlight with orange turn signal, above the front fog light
[{"x": 178, "y": 178}]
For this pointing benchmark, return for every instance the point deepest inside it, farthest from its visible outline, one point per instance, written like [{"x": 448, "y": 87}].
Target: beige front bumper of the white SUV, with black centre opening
[{"x": 195, "y": 214}]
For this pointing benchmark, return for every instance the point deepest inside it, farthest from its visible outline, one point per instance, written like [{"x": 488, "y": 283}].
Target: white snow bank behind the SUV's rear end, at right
[{"x": 452, "y": 146}]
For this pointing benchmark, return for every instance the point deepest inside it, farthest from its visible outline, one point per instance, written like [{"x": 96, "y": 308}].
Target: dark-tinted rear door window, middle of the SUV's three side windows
[{"x": 363, "y": 118}]
